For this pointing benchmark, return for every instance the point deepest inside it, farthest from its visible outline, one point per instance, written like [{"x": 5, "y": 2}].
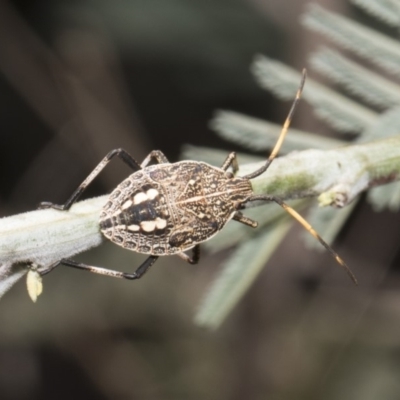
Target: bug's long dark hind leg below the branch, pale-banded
[{"x": 143, "y": 268}]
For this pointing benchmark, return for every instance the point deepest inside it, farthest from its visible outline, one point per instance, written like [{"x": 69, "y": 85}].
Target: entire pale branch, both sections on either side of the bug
[{"x": 44, "y": 236}]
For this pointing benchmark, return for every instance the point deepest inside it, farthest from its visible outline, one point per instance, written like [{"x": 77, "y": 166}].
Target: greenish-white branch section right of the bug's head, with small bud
[{"x": 336, "y": 176}]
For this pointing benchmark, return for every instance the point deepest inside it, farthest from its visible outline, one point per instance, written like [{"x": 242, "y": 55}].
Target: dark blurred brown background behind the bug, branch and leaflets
[{"x": 79, "y": 78}]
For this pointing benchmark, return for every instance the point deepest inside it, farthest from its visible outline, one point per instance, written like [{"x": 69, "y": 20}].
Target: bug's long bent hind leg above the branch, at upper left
[{"x": 121, "y": 153}]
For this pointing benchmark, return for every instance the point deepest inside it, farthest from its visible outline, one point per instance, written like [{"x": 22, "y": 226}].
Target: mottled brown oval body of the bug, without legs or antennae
[{"x": 165, "y": 209}]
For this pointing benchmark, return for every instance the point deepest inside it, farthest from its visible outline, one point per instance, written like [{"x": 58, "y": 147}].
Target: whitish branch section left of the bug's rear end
[{"x": 42, "y": 237}]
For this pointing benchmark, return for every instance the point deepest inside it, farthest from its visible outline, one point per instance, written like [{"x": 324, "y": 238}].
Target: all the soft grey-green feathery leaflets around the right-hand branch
[{"x": 378, "y": 116}]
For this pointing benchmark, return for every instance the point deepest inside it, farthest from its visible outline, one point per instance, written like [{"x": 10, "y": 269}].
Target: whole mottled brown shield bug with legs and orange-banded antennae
[{"x": 168, "y": 208}]
